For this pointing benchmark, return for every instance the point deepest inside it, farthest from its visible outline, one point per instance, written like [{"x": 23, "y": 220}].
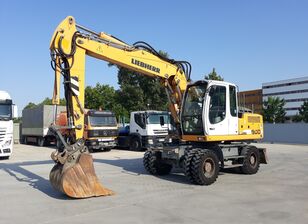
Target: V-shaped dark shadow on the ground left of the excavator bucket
[{"x": 35, "y": 181}]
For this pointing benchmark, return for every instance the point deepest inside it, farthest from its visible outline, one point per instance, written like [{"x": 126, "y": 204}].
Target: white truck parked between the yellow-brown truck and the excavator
[{"x": 145, "y": 130}]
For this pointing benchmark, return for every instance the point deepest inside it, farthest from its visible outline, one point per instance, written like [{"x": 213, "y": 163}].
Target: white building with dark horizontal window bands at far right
[{"x": 293, "y": 91}]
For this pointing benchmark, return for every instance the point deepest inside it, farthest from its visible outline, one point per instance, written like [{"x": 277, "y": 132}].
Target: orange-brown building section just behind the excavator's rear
[{"x": 251, "y": 100}]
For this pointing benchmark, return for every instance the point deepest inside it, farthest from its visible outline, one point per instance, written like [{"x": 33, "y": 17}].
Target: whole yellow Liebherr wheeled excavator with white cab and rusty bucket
[{"x": 213, "y": 132}]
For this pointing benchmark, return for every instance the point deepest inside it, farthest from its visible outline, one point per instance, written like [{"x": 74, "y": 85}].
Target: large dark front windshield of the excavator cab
[{"x": 192, "y": 109}]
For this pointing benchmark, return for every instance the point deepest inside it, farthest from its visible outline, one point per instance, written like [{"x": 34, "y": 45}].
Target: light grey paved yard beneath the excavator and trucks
[{"x": 276, "y": 194}]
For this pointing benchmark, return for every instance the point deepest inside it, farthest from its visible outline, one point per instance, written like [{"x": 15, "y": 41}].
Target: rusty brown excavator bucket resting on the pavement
[{"x": 78, "y": 180}]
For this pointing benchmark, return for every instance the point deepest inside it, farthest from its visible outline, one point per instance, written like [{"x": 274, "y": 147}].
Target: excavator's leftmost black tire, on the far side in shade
[{"x": 154, "y": 165}]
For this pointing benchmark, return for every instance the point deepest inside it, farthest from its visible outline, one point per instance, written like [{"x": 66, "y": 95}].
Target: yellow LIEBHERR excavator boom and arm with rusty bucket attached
[{"x": 73, "y": 173}]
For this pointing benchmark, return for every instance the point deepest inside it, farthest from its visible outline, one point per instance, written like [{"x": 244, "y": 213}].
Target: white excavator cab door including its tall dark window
[{"x": 217, "y": 114}]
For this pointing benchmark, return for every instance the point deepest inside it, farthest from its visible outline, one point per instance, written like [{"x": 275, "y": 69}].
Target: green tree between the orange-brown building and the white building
[{"x": 273, "y": 110}]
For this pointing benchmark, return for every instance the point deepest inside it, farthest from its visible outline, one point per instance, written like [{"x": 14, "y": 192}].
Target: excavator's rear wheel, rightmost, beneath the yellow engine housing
[{"x": 251, "y": 161}]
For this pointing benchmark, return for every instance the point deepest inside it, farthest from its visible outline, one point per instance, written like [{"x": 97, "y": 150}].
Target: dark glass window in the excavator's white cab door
[{"x": 217, "y": 110}]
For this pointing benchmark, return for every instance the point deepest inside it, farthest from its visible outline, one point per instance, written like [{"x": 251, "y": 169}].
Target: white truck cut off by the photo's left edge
[{"x": 8, "y": 111}]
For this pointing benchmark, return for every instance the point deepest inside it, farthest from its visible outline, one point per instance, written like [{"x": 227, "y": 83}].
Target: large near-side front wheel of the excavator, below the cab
[{"x": 204, "y": 167}]
